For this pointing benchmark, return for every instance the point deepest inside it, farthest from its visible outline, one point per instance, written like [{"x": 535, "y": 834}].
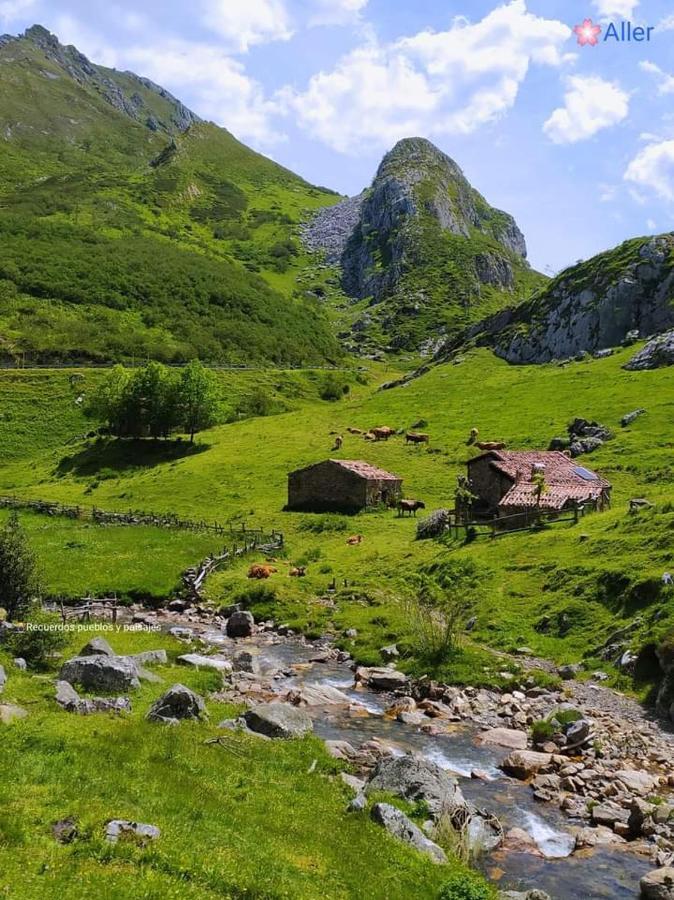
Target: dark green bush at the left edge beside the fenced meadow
[{"x": 19, "y": 583}]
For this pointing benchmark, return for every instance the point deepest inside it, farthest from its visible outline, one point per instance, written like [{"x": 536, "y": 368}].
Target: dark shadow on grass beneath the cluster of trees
[{"x": 113, "y": 456}]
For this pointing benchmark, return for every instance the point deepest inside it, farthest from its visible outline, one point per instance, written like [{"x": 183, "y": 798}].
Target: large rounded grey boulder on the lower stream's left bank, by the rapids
[{"x": 416, "y": 779}]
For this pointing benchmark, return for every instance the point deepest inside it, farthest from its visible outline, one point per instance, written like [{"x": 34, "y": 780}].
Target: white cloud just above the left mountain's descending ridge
[{"x": 217, "y": 86}]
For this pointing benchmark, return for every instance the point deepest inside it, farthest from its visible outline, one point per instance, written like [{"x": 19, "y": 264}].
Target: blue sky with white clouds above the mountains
[{"x": 577, "y": 142}]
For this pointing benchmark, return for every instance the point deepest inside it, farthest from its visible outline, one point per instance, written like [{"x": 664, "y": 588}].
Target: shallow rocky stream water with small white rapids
[{"x": 604, "y": 872}]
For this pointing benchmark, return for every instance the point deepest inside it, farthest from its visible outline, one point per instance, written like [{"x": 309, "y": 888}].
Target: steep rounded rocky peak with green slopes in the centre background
[{"x": 422, "y": 251}]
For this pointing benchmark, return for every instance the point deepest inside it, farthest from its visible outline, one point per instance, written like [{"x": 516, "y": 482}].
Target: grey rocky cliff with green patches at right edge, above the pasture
[{"x": 591, "y": 306}]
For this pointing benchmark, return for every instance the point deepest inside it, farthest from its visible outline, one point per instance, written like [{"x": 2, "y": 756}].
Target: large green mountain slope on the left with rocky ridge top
[{"x": 130, "y": 228}]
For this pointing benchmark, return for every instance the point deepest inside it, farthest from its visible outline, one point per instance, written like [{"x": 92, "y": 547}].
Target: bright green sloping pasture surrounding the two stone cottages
[{"x": 588, "y": 580}]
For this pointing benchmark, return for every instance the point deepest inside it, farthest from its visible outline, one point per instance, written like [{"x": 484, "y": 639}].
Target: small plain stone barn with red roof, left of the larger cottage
[{"x": 341, "y": 485}]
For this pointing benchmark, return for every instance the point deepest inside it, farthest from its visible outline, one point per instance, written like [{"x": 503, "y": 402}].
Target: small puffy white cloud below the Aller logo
[{"x": 590, "y": 104}]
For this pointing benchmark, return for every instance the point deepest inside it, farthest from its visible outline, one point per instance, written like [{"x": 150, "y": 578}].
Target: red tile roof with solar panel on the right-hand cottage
[{"x": 565, "y": 478}]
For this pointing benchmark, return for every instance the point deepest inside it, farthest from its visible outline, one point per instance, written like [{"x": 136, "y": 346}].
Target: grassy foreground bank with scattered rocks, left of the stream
[{"x": 248, "y": 819}]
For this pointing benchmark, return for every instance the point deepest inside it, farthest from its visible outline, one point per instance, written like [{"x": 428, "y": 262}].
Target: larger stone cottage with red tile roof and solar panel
[{"x": 511, "y": 482}]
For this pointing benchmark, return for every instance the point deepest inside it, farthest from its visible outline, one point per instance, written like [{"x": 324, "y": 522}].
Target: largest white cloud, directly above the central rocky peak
[{"x": 451, "y": 81}]
